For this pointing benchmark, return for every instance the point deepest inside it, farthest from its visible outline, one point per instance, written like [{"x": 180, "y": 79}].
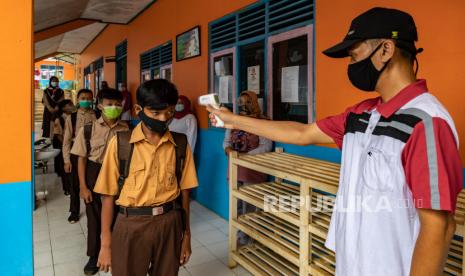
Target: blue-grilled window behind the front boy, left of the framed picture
[{"x": 155, "y": 63}]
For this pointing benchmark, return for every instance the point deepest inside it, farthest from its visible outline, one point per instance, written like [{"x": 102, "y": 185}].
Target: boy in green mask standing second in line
[{"x": 90, "y": 146}]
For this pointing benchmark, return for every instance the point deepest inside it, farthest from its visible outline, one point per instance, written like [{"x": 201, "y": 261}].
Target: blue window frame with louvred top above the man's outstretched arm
[{"x": 254, "y": 25}]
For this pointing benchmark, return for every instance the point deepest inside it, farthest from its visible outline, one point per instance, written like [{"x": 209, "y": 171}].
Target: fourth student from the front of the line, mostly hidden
[{"x": 66, "y": 108}]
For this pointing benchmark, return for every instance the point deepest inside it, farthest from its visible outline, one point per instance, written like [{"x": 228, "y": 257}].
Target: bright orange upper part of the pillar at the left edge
[{"x": 16, "y": 79}]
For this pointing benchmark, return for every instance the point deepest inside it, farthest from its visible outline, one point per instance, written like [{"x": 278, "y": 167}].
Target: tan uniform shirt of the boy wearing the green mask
[{"x": 101, "y": 135}]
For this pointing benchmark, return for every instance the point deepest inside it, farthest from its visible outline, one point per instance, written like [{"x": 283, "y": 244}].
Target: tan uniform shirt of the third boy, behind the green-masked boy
[{"x": 84, "y": 116}]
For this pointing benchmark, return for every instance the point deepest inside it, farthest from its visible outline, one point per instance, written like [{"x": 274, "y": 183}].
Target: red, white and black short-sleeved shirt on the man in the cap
[{"x": 397, "y": 156}]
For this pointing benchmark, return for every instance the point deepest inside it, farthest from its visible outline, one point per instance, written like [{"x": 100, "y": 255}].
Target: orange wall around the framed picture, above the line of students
[{"x": 157, "y": 25}]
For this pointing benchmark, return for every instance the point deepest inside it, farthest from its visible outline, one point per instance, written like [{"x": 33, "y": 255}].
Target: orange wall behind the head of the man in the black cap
[{"x": 440, "y": 27}]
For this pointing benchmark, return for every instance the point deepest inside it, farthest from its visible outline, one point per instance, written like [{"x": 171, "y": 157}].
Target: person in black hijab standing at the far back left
[{"x": 52, "y": 96}]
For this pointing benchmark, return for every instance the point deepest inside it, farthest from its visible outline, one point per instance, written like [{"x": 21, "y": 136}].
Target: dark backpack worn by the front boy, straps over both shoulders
[{"x": 125, "y": 150}]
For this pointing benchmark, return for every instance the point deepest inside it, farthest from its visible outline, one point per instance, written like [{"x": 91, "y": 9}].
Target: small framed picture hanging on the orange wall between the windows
[{"x": 188, "y": 44}]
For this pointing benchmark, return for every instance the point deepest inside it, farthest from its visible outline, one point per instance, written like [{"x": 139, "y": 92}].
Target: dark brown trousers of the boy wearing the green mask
[{"x": 93, "y": 211}]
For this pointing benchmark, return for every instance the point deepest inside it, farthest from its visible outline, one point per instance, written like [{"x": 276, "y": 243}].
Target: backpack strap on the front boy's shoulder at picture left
[{"x": 125, "y": 150}]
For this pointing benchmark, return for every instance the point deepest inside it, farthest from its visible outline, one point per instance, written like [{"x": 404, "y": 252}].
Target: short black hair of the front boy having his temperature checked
[{"x": 157, "y": 94}]
